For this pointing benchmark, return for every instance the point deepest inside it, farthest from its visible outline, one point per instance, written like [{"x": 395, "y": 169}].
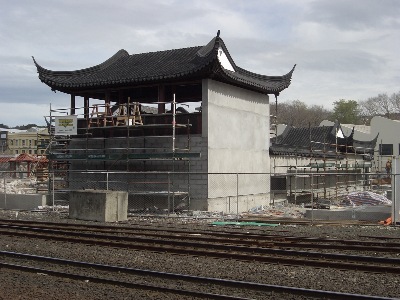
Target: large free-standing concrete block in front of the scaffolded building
[{"x": 98, "y": 205}]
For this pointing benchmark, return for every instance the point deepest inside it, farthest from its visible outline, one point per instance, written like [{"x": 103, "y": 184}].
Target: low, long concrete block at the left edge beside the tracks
[{"x": 22, "y": 201}]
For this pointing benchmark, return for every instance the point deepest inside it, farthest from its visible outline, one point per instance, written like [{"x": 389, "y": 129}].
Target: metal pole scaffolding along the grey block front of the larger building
[{"x": 125, "y": 147}]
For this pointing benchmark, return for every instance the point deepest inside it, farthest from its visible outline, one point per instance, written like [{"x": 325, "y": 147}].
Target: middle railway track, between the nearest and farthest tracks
[{"x": 330, "y": 260}]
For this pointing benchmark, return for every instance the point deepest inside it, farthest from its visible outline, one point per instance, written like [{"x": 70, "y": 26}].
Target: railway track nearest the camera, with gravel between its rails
[{"x": 195, "y": 286}]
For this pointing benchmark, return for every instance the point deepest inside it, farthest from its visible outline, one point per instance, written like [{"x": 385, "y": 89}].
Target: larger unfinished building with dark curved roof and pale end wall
[{"x": 225, "y": 133}]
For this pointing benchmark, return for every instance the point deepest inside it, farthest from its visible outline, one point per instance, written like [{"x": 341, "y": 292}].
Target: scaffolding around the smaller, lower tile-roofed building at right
[{"x": 325, "y": 174}]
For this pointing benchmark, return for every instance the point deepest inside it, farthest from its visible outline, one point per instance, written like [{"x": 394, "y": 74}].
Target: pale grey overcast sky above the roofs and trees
[{"x": 344, "y": 49}]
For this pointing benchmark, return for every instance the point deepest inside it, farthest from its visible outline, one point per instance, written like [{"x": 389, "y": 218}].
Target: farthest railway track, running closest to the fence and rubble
[{"x": 281, "y": 241}]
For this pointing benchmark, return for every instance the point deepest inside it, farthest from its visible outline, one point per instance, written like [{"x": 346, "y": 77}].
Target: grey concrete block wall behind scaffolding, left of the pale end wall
[{"x": 146, "y": 181}]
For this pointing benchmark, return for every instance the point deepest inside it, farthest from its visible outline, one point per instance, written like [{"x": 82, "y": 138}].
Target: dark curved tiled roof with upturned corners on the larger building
[{"x": 198, "y": 62}]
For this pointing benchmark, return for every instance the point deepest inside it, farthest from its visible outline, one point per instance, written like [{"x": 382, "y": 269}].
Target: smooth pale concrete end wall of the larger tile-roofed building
[{"x": 236, "y": 124}]
